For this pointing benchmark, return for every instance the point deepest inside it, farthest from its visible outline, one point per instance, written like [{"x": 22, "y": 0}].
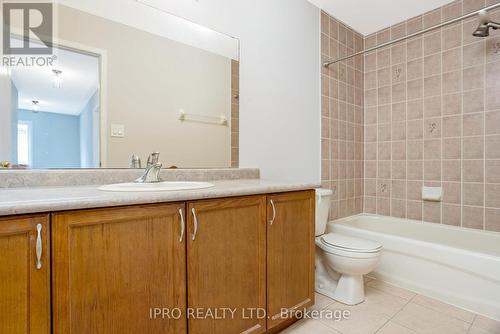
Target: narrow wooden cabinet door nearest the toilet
[{"x": 290, "y": 253}]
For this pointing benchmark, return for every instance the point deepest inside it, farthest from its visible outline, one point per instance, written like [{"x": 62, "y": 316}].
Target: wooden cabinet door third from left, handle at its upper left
[{"x": 227, "y": 264}]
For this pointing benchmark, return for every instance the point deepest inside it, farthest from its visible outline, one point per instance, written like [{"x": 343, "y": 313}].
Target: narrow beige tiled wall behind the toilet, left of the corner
[{"x": 342, "y": 118}]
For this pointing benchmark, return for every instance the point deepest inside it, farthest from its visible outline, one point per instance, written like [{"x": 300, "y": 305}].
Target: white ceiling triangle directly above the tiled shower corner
[{"x": 369, "y": 16}]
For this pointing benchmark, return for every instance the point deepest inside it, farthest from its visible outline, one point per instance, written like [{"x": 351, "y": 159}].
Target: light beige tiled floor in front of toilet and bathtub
[{"x": 392, "y": 310}]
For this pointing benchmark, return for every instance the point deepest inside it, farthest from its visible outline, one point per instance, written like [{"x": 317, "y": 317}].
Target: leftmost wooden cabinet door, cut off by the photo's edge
[{"x": 25, "y": 275}]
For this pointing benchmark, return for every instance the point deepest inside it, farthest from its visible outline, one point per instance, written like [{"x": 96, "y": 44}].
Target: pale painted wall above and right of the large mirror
[{"x": 279, "y": 78}]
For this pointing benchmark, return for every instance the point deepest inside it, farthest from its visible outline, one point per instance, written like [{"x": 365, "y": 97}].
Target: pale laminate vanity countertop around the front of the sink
[{"x": 14, "y": 201}]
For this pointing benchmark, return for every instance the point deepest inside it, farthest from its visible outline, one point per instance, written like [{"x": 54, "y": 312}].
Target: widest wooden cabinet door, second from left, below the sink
[{"x": 112, "y": 266}]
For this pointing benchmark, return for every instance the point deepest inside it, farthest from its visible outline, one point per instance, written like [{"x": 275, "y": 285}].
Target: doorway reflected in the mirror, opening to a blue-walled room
[{"x": 61, "y": 105}]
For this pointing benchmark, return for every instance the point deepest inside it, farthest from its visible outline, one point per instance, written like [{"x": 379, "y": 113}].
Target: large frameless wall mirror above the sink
[{"x": 122, "y": 79}]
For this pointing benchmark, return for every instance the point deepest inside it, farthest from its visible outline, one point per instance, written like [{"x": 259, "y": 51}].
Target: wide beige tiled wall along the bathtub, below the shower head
[{"x": 432, "y": 117}]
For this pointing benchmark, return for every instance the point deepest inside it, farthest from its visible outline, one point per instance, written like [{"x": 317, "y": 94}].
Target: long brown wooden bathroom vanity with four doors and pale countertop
[{"x": 98, "y": 269}]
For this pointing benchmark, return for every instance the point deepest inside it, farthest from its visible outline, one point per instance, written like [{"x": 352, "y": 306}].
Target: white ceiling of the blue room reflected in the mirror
[{"x": 80, "y": 75}]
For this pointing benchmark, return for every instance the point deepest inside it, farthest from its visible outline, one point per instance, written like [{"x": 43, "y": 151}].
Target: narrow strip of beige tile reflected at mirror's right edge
[{"x": 235, "y": 113}]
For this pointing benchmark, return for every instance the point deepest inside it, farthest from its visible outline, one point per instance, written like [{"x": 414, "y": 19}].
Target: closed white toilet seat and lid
[{"x": 338, "y": 242}]
